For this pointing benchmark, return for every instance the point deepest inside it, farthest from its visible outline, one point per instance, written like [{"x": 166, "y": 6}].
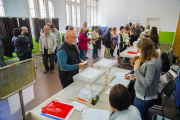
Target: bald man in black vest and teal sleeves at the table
[{"x": 69, "y": 60}]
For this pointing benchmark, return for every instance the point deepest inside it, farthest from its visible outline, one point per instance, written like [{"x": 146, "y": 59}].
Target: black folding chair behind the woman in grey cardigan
[{"x": 168, "y": 92}]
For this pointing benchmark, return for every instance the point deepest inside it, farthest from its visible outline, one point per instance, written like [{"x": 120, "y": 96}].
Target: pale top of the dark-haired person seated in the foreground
[{"x": 132, "y": 113}]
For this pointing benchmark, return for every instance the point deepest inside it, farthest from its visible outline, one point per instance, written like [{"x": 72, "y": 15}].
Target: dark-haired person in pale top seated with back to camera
[{"x": 120, "y": 103}]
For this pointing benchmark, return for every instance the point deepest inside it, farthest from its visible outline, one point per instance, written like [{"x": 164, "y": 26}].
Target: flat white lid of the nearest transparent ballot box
[{"x": 90, "y": 73}]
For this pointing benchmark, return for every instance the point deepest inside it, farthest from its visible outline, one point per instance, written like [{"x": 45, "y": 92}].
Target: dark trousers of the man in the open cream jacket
[{"x": 45, "y": 60}]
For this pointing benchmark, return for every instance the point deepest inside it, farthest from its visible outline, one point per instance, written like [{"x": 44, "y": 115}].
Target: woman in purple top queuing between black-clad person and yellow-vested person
[{"x": 114, "y": 41}]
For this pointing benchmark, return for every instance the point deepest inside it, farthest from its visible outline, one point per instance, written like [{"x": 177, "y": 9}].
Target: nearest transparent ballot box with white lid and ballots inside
[{"x": 89, "y": 83}]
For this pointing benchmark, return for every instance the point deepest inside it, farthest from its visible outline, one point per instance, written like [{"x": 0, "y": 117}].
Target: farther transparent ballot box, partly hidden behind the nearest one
[{"x": 107, "y": 65}]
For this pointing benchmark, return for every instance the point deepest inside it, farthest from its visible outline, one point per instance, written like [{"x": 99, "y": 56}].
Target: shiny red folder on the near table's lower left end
[{"x": 57, "y": 109}]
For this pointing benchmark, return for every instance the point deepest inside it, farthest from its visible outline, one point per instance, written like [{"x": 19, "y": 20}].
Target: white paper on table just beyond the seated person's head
[{"x": 120, "y": 80}]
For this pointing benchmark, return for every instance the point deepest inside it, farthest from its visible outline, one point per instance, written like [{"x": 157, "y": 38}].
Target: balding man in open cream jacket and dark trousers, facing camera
[{"x": 47, "y": 47}]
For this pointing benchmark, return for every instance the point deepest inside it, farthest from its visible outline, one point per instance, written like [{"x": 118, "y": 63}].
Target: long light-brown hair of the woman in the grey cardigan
[{"x": 147, "y": 49}]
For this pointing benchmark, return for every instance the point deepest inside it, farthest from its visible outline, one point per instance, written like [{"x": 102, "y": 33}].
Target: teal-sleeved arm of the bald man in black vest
[{"x": 62, "y": 59}]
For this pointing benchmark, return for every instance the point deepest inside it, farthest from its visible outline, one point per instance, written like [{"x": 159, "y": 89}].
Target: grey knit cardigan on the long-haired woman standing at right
[{"x": 148, "y": 76}]
